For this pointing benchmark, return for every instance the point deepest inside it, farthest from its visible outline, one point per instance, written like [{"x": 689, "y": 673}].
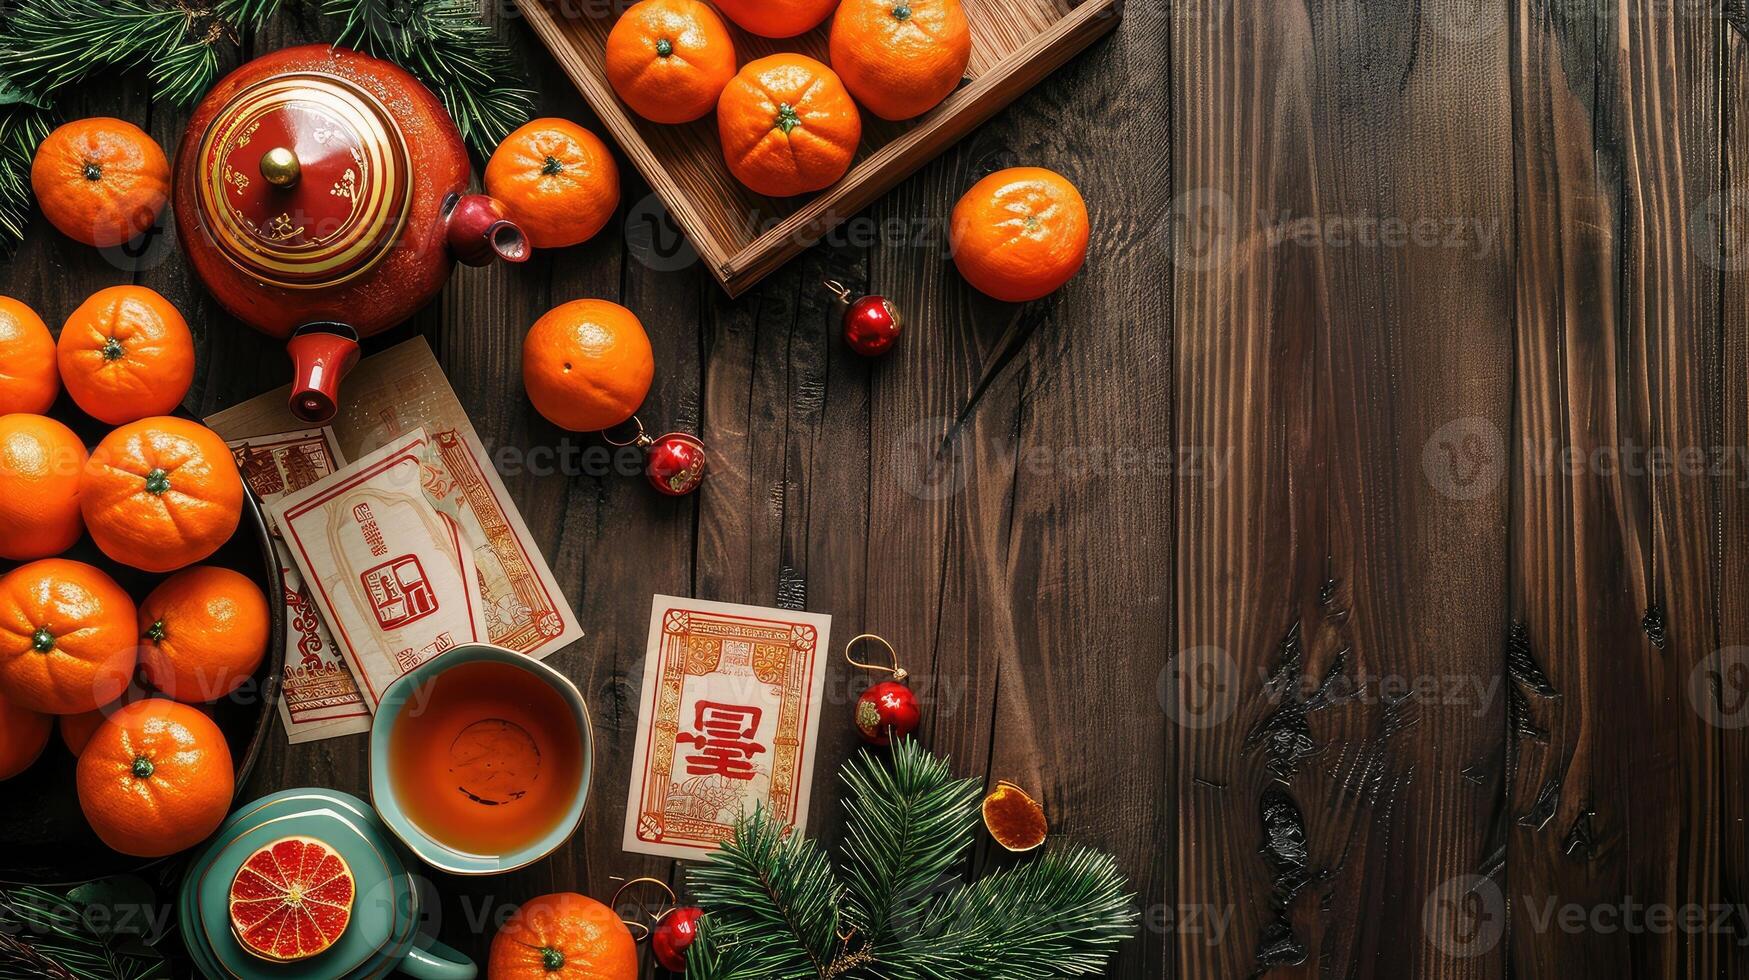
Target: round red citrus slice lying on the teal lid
[{"x": 291, "y": 900}]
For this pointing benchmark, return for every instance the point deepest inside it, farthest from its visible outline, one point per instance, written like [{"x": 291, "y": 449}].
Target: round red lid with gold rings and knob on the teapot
[{"x": 303, "y": 181}]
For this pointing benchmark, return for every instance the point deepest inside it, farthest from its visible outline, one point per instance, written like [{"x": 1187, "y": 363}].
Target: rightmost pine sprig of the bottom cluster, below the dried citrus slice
[{"x": 1059, "y": 916}]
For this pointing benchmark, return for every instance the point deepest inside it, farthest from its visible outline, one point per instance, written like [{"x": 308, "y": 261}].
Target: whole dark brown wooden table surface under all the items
[{"x": 1356, "y": 549}]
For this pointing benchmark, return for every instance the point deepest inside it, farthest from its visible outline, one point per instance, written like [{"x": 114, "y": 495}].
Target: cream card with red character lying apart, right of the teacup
[{"x": 730, "y": 718}]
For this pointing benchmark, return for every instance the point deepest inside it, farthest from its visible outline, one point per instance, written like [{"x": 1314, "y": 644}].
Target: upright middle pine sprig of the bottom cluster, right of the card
[{"x": 910, "y": 825}]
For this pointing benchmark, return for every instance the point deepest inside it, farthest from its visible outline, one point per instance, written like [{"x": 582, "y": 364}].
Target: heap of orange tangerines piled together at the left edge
[{"x": 158, "y": 494}]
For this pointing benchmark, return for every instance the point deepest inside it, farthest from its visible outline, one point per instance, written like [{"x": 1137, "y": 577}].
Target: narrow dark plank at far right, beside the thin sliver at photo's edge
[{"x": 1671, "y": 318}]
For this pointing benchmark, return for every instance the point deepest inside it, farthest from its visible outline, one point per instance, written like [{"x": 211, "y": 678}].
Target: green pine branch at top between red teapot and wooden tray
[{"x": 447, "y": 46}]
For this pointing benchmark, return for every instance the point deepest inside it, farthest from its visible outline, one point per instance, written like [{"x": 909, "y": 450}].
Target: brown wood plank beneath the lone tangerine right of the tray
[{"x": 1089, "y": 449}]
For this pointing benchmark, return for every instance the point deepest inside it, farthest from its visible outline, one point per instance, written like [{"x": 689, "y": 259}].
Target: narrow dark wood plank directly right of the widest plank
[{"x": 1585, "y": 785}]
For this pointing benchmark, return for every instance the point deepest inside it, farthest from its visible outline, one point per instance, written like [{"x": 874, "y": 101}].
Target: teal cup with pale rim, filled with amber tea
[{"x": 482, "y": 760}]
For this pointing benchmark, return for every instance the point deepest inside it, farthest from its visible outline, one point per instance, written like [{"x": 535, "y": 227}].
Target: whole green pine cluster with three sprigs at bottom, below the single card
[{"x": 772, "y": 902}]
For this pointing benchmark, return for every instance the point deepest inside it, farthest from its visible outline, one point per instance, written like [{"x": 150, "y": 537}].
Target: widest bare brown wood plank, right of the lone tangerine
[{"x": 1335, "y": 596}]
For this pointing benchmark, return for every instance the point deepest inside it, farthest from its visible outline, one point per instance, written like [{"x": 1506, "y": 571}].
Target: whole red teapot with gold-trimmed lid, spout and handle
[{"x": 323, "y": 197}]
